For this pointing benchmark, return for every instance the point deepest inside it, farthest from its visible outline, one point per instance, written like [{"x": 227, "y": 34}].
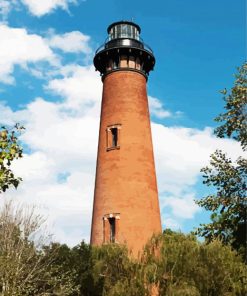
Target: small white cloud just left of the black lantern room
[{"x": 71, "y": 42}]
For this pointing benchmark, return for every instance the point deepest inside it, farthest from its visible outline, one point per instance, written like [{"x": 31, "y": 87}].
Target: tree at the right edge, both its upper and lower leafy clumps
[{"x": 228, "y": 203}]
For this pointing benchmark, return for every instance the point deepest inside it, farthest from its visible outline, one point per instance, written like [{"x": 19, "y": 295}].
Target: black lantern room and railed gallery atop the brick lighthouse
[{"x": 124, "y": 50}]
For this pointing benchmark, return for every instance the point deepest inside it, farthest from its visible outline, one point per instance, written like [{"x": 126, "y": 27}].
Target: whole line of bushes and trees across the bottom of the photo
[{"x": 172, "y": 263}]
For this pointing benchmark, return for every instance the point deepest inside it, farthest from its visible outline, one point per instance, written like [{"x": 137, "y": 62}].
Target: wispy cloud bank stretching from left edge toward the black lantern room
[{"x": 38, "y": 55}]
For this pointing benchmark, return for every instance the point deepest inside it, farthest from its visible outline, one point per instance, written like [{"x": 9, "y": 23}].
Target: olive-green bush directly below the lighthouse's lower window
[{"x": 116, "y": 273}]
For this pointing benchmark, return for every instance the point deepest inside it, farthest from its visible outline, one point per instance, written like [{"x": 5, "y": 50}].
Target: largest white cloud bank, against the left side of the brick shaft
[{"x": 59, "y": 172}]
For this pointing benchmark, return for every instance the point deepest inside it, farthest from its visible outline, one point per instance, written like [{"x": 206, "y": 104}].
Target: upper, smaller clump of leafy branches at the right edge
[{"x": 235, "y": 118}]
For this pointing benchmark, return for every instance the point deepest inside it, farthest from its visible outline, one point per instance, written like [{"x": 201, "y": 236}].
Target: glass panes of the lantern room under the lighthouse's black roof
[{"x": 124, "y": 31}]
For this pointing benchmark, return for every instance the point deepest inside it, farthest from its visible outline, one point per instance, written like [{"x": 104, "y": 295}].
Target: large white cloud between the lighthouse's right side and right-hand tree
[{"x": 181, "y": 152}]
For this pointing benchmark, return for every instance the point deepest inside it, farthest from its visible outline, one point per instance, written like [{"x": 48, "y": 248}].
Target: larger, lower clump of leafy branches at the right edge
[{"x": 228, "y": 204}]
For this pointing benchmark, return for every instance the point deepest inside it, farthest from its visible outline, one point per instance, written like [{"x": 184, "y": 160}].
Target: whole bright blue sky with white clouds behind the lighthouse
[{"x": 48, "y": 83}]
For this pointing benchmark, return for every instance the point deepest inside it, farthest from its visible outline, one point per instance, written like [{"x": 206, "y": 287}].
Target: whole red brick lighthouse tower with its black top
[{"x": 126, "y": 206}]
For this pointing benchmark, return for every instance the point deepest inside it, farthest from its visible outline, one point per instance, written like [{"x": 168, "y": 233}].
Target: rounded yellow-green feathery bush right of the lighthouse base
[{"x": 185, "y": 266}]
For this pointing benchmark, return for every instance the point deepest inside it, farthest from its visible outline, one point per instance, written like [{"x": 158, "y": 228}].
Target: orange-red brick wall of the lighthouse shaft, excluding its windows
[{"x": 125, "y": 178}]
